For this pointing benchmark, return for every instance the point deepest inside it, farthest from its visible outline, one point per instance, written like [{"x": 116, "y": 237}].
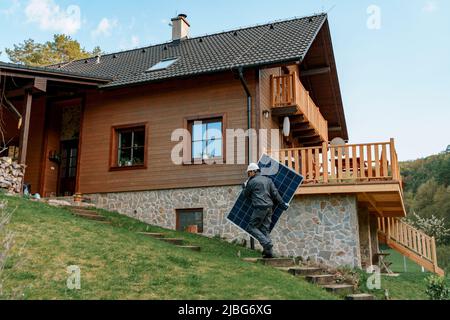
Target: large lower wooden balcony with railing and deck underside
[{"x": 369, "y": 170}]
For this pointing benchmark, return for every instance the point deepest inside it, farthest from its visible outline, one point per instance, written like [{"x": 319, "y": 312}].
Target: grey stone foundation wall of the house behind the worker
[{"x": 321, "y": 228}]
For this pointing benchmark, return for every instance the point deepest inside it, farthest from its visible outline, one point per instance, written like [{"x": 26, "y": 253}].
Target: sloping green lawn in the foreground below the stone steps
[{"x": 117, "y": 263}]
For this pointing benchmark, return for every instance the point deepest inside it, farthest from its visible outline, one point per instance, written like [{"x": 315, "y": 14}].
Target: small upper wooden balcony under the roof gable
[{"x": 290, "y": 98}]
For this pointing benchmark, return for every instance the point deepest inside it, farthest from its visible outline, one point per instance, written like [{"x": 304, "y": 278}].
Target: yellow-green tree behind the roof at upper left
[{"x": 62, "y": 49}]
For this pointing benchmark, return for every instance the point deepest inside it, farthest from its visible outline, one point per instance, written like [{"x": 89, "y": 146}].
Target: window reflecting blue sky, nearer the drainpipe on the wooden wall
[{"x": 207, "y": 139}]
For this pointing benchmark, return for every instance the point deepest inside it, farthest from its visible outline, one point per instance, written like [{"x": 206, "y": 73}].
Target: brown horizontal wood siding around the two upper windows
[{"x": 164, "y": 106}]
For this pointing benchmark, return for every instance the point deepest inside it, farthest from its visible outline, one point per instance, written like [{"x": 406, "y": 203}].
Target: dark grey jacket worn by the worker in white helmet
[{"x": 262, "y": 192}]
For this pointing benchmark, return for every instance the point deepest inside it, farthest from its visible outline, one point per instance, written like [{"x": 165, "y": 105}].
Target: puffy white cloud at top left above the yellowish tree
[{"x": 50, "y": 16}]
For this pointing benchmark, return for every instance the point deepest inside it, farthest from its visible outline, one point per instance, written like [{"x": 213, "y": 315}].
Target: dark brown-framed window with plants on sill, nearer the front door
[{"x": 129, "y": 147}]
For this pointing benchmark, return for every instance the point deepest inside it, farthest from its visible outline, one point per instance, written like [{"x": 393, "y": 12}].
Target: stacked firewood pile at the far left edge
[{"x": 11, "y": 175}]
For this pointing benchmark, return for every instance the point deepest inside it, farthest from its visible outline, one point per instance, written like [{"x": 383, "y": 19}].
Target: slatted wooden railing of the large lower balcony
[{"x": 347, "y": 164}]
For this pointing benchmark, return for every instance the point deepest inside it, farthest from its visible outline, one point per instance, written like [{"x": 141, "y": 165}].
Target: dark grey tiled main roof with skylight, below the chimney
[{"x": 266, "y": 44}]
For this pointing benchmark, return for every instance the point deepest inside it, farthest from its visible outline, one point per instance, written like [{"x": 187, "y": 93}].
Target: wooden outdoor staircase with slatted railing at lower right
[{"x": 410, "y": 242}]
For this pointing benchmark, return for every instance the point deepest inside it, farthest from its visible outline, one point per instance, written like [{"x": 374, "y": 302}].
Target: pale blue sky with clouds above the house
[{"x": 393, "y": 56}]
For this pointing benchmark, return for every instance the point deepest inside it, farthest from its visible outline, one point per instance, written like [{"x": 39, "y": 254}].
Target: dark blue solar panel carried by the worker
[{"x": 285, "y": 179}]
